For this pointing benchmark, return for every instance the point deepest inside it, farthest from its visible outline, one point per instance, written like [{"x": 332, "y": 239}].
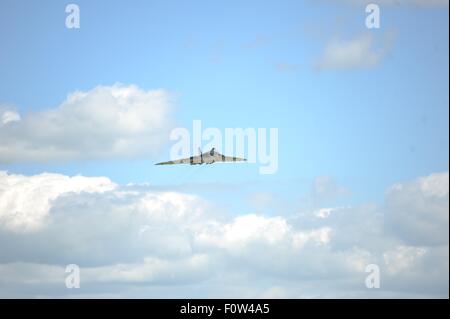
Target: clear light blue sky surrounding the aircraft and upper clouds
[{"x": 246, "y": 64}]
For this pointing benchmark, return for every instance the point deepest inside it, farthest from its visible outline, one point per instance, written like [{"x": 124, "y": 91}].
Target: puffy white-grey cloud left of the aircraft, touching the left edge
[{"x": 107, "y": 121}]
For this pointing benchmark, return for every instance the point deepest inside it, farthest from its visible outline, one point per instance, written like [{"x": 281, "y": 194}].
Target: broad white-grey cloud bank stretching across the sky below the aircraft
[{"x": 132, "y": 240}]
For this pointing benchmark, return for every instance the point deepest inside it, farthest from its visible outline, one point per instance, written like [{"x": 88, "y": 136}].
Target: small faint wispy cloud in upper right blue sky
[{"x": 360, "y": 52}]
